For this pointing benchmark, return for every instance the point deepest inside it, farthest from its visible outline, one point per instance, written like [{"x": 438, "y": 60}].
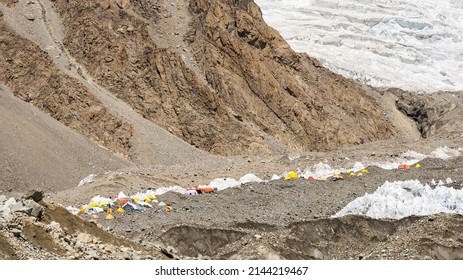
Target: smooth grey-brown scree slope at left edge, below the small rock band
[{"x": 36, "y": 151}]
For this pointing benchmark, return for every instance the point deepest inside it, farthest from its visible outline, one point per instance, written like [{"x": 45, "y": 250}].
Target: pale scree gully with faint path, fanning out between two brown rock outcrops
[{"x": 150, "y": 143}]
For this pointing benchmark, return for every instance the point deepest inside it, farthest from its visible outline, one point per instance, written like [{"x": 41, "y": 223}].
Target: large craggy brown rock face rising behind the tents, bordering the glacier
[{"x": 247, "y": 92}]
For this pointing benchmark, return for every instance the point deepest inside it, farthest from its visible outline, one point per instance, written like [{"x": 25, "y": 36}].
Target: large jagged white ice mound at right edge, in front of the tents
[{"x": 401, "y": 199}]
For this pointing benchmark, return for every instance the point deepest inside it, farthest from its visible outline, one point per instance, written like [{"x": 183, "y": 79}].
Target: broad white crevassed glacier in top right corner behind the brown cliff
[{"x": 415, "y": 45}]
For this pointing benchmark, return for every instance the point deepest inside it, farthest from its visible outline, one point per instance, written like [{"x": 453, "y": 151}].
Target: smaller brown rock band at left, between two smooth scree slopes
[{"x": 31, "y": 76}]
